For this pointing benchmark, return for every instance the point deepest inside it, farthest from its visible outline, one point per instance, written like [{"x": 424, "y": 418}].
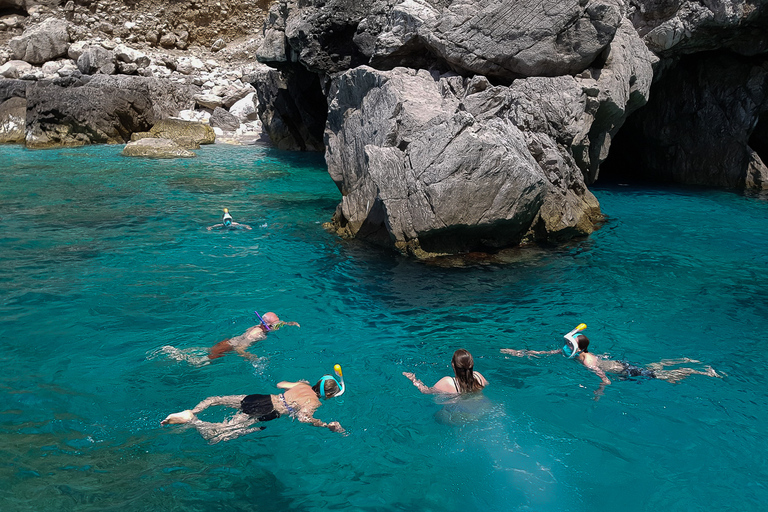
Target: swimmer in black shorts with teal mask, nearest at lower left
[{"x": 300, "y": 401}]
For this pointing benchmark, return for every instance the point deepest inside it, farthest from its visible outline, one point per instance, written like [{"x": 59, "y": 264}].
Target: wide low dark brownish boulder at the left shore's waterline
[{"x": 107, "y": 109}]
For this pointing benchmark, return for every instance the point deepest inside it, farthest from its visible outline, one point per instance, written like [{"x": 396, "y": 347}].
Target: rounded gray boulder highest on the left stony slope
[{"x": 40, "y": 43}]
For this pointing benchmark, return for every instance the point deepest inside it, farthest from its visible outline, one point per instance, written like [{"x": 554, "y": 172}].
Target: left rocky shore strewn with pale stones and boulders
[{"x": 101, "y": 72}]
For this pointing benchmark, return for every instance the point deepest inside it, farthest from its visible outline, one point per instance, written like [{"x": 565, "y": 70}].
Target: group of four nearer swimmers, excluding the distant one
[{"x": 300, "y": 400}]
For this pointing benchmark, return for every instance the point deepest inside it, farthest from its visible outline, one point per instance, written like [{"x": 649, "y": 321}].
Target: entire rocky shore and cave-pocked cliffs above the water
[{"x": 449, "y": 126}]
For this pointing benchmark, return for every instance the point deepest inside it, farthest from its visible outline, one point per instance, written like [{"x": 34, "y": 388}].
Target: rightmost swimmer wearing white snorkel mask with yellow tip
[{"x": 577, "y": 346}]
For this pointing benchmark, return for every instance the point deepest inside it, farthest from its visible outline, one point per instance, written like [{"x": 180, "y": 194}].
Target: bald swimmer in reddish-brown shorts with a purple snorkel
[{"x": 267, "y": 323}]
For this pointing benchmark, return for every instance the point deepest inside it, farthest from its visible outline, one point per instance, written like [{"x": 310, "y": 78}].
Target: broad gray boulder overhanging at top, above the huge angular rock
[{"x": 509, "y": 39}]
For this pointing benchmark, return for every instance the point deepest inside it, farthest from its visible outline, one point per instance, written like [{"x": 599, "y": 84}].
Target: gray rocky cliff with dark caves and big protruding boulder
[{"x": 476, "y": 124}]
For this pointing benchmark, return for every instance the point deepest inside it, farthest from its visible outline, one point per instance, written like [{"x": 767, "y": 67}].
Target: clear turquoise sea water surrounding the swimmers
[{"x": 104, "y": 259}]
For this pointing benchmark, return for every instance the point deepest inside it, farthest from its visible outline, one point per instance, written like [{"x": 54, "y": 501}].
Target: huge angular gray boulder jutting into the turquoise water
[{"x": 438, "y": 165}]
